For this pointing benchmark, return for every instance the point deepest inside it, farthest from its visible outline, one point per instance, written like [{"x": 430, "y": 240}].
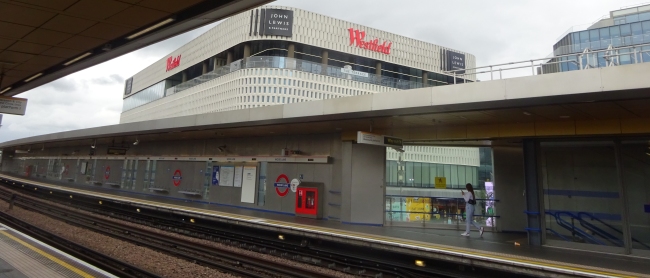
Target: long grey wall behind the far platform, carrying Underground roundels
[{"x": 62, "y": 165}]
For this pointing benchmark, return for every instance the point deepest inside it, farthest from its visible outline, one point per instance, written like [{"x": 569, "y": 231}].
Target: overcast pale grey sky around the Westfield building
[{"x": 497, "y": 31}]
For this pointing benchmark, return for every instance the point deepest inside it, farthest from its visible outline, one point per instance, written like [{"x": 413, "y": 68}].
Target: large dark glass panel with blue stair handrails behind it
[{"x": 581, "y": 197}]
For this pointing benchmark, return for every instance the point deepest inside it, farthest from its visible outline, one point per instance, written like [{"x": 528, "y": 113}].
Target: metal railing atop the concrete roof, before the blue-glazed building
[{"x": 585, "y": 60}]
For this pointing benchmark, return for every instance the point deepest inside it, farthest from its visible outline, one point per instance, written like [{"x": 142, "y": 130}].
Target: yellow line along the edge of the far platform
[{"x": 335, "y": 232}]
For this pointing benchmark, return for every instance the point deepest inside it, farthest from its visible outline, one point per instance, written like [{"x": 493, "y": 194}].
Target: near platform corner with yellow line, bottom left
[{"x": 22, "y": 256}]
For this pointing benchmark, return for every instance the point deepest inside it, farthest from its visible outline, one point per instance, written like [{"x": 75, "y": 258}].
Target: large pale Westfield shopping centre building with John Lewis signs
[{"x": 276, "y": 55}]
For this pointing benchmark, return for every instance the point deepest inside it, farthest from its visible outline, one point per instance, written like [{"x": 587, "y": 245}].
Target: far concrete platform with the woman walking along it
[{"x": 490, "y": 250}]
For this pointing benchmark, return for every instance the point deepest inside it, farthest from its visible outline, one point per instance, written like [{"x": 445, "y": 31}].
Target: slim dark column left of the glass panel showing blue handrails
[{"x": 534, "y": 209}]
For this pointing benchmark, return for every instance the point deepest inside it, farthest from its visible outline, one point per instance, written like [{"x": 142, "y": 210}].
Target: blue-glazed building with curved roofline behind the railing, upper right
[{"x": 622, "y": 38}]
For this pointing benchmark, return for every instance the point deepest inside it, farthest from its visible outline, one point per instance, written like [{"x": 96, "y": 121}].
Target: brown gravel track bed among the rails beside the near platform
[{"x": 156, "y": 262}]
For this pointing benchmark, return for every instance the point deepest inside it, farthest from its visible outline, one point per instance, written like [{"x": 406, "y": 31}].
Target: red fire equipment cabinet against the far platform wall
[{"x": 309, "y": 200}]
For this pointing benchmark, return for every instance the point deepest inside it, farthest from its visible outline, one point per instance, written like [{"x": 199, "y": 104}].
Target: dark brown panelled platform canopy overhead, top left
[{"x": 43, "y": 40}]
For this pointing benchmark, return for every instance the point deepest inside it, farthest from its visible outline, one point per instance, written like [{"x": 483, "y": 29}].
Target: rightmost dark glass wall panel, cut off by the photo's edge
[{"x": 635, "y": 160}]
